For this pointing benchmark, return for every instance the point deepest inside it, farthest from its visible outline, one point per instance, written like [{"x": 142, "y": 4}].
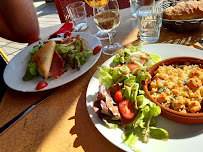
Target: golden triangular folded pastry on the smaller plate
[{"x": 44, "y": 57}]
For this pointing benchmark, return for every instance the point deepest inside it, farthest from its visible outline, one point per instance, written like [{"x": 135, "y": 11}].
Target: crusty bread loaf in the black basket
[{"x": 184, "y": 11}]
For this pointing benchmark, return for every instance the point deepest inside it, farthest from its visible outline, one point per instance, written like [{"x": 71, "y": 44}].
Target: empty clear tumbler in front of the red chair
[{"x": 77, "y": 14}]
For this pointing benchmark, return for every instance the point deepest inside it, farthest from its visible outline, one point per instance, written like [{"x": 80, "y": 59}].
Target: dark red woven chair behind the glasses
[{"x": 63, "y": 14}]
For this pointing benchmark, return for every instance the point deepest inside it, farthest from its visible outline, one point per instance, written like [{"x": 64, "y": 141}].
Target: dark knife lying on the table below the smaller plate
[{"x": 11, "y": 122}]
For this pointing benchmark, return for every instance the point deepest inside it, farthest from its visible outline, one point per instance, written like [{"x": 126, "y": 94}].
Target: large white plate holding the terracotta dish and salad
[{"x": 182, "y": 137}]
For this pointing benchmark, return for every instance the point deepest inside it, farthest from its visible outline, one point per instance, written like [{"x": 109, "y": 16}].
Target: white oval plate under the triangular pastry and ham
[{"x": 16, "y": 68}]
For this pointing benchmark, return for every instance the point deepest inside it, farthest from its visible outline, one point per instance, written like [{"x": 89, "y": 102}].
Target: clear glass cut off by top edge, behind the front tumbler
[{"x": 135, "y": 4}]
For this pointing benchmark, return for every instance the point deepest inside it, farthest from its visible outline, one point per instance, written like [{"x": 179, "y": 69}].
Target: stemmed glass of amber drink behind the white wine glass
[{"x": 99, "y": 4}]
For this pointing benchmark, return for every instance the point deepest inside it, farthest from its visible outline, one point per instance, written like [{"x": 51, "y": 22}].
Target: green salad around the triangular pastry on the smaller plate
[{"x": 72, "y": 51}]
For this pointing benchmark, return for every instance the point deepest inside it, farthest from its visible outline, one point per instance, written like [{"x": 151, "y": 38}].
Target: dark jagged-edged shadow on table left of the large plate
[{"x": 87, "y": 135}]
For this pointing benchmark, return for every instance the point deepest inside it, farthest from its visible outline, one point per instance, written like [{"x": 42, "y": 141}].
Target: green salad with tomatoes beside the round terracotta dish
[{"x": 121, "y": 100}]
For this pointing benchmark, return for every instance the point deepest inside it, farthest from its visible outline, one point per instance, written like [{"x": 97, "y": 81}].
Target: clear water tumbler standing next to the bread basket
[{"x": 149, "y": 19}]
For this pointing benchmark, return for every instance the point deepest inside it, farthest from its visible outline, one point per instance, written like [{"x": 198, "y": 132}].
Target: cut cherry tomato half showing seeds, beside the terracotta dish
[{"x": 127, "y": 109}]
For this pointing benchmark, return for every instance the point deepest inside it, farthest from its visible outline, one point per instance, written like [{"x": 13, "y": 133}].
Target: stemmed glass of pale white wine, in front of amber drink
[{"x": 107, "y": 19}]
